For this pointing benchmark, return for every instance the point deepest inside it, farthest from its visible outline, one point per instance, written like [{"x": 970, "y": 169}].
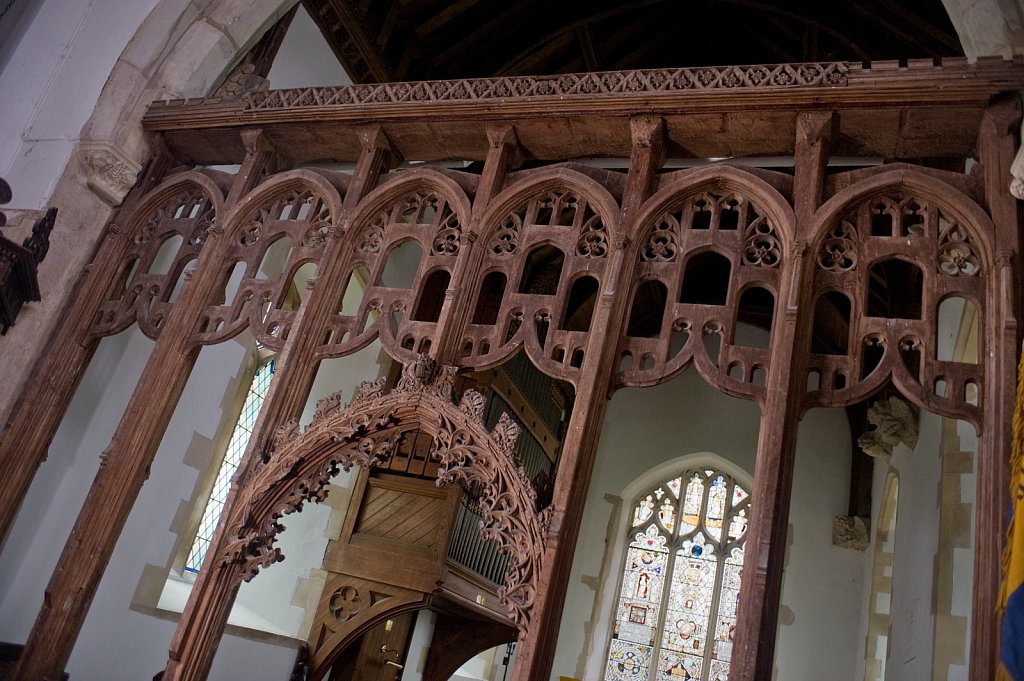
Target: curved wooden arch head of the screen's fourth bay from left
[{"x": 515, "y": 197}]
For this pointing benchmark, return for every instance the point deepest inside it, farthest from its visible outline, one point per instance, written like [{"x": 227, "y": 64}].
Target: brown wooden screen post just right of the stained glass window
[{"x": 766, "y": 535}]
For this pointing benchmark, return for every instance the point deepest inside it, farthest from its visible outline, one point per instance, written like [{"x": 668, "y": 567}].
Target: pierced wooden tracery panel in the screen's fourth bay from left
[{"x": 543, "y": 256}]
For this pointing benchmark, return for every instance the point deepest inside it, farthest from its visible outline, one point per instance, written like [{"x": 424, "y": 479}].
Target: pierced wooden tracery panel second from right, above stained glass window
[{"x": 708, "y": 258}]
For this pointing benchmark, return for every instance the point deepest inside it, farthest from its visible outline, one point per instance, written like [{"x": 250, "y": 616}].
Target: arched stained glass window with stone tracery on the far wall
[{"x": 676, "y": 613}]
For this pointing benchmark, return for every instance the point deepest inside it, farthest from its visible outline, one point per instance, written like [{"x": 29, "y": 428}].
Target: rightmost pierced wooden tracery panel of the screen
[{"x": 885, "y": 265}]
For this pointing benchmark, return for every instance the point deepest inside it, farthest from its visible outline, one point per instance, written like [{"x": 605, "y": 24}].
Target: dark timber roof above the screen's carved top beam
[{"x": 405, "y": 40}]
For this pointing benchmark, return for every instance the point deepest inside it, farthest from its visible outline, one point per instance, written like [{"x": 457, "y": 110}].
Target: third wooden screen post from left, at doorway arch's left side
[{"x": 212, "y": 597}]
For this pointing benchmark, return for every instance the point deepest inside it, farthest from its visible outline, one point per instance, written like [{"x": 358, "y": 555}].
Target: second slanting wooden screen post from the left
[{"x": 123, "y": 470}]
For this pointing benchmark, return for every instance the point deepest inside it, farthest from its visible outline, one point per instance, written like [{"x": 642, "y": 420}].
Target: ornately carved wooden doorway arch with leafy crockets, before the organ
[{"x": 367, "y": 433}]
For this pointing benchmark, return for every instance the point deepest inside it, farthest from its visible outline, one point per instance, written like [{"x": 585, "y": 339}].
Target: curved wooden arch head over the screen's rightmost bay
[{"x": 964, "y": 209}]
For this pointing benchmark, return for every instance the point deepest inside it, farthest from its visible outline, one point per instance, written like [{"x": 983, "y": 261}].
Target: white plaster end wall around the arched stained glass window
[{"x": 650, "y": 433}]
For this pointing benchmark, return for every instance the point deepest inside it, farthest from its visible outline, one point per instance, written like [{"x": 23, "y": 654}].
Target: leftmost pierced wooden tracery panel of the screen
[{"x": 164, "y": 241}]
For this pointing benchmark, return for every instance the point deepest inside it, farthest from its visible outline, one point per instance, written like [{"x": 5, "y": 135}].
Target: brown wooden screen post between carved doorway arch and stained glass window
[{"x": 536, "y": 652}]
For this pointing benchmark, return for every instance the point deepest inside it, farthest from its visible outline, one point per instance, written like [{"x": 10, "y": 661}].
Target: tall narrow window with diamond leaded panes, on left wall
[{"x": 236, "y": 448}]
